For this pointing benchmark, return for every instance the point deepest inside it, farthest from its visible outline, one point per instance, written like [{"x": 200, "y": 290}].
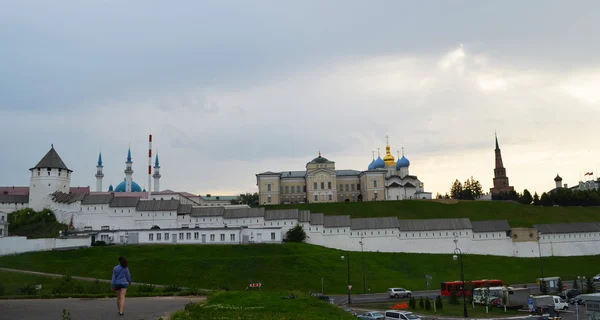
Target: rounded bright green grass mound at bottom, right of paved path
[{"x": 262, "y": 306}]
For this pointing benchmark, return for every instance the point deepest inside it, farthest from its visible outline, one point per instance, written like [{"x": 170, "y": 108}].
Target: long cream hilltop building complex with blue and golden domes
[{"x": 384, "y": 179}]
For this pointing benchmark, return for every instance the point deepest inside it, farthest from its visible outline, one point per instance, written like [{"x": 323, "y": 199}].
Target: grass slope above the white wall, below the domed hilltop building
[{"x": 518, "y": 215}]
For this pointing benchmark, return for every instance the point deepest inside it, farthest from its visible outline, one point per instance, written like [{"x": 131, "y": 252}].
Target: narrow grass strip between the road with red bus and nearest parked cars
[{"x": 448, "y": 310}]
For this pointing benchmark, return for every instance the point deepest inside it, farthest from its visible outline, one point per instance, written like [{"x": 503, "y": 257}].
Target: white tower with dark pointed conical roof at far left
[{"x": 48, "y": 176}]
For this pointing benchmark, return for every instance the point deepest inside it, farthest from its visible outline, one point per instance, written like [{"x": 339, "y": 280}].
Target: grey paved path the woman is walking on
[{"x": 92, "y": 309}]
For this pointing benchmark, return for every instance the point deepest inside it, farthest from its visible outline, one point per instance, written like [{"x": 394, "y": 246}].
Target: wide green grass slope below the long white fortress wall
[{"x": 291, "y": 266}]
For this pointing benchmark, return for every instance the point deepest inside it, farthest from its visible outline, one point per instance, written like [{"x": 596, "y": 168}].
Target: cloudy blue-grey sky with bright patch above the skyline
[{"x": 229, "y": 89}]
